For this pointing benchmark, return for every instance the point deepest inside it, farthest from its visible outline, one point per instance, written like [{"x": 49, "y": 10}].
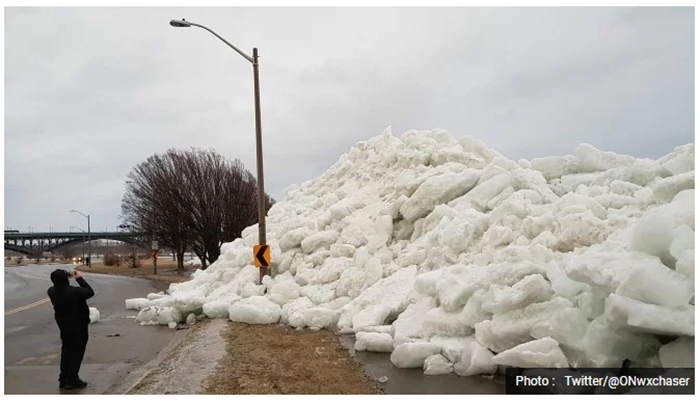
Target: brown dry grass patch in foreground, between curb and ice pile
[{"x": 275, "y": 359}]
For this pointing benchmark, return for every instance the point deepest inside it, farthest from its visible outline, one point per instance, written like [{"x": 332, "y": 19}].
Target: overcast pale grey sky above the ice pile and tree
[{"x": 91, "y": 92}]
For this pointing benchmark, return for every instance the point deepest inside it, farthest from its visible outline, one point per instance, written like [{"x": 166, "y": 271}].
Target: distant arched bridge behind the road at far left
[{"x": 34, "y": 244}]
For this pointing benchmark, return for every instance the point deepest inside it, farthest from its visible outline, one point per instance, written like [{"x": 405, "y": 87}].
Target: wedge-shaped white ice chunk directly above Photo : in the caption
[{"x": 543, "y": 352}]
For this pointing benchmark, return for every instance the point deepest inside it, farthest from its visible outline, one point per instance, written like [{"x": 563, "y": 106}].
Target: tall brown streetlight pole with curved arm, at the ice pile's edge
[{"x": 258, "y": 132}]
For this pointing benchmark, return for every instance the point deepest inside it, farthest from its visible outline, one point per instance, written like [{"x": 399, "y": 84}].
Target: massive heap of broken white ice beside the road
[{"x": 457, "y": 259}]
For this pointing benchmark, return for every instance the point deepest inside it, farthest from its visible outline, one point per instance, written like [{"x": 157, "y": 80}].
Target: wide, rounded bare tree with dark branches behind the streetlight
[{"x": 193, "y": 197}]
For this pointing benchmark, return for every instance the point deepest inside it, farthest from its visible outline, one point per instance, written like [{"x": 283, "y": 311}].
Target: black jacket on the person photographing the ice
[{"x": 69, "y": 303}]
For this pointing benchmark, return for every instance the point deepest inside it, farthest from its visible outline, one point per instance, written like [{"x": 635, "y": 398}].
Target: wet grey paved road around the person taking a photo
[{"x": 33, "y": 345}]
